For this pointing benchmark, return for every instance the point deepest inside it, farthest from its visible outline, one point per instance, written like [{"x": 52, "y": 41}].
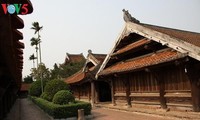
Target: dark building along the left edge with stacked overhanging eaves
[{"x": 11, "y": 56}]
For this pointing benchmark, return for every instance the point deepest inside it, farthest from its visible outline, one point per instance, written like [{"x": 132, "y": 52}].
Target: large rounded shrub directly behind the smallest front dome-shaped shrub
[{"x": 52, "y": 87}]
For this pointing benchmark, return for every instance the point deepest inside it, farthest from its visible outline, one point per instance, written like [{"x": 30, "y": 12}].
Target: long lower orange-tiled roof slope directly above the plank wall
[{"x": 143, "y": 61}]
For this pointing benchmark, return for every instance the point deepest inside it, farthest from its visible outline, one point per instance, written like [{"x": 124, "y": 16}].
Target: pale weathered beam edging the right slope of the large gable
[{"x": 175, "y": 43}]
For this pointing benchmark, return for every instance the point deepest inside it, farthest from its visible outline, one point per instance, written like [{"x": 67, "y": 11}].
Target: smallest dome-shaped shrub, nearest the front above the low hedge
[{"x": 63, "y": 97}]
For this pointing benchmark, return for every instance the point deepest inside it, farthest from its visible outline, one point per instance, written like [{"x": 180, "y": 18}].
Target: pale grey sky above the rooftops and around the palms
[{"x": 74, "y": 26}]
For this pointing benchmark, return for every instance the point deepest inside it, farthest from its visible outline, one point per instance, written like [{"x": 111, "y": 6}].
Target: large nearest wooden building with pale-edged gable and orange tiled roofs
[{"x": 155, "y": 67}]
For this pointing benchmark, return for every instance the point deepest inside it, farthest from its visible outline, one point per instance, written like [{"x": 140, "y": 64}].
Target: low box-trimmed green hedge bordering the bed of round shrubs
[{"x": 62, "y": 111}]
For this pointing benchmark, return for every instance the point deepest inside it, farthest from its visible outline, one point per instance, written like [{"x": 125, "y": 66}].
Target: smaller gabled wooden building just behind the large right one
[{"x": 82, "y": 83}]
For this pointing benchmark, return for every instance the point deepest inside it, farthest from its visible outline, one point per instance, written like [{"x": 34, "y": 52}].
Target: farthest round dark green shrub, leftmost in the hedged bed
[{"x": 35, "y": 88}]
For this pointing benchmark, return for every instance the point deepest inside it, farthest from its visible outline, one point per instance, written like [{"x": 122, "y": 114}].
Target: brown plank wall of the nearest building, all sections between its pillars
[{"x": 145, "y": 88}]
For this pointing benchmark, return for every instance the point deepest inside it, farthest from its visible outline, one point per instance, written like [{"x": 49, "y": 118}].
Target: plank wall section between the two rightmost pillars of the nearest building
[{"x": 177, "y": 87}]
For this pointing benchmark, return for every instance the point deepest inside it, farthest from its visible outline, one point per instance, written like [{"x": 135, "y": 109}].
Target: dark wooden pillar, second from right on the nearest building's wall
[{"x": 159, "y": 78}]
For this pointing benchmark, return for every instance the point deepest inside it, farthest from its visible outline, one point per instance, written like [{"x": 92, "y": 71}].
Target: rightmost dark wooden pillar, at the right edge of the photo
[{"x": 193, "y": 73}]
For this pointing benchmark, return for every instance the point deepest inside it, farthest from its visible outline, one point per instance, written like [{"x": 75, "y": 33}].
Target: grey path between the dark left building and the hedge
[{"x": 24, "y": 109}]
